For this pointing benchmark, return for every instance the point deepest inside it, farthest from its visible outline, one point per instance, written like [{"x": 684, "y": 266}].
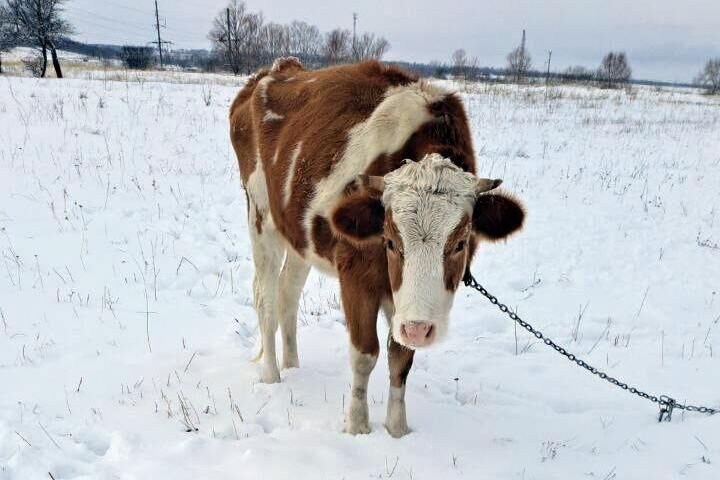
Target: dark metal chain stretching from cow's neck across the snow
[{"x": 666, "y": 403}]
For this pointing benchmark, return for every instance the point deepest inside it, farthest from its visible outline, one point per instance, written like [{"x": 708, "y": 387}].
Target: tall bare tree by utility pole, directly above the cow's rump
[{"x": 236, "y": 37}]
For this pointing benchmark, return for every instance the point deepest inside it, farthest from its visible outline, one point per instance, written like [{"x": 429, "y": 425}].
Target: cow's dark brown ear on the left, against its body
[{"x": 359, "y": 218}]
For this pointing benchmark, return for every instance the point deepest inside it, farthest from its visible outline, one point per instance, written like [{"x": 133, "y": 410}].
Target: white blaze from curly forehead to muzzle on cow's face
[{"x": 428, "y": 200}]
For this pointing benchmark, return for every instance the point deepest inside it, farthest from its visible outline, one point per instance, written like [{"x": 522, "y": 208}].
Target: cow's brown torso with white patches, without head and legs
[{"x": 302, "y": 137}]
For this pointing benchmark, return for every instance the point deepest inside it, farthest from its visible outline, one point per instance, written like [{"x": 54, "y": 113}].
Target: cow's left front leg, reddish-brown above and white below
[{"x": 361, "y": 309}]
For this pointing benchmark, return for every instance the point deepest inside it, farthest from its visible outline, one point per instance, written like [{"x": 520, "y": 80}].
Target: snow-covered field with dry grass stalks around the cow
[{"x": 127, "y": 328}]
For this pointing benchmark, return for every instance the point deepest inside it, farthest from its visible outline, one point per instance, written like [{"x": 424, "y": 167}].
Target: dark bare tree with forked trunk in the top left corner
[{"x": 39, "y": 23}]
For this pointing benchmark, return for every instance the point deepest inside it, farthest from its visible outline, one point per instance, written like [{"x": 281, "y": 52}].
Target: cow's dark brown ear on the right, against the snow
[{"x": 497, "y": 215}]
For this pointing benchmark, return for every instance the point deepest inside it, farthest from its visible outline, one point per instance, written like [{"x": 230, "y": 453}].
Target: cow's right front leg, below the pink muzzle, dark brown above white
[{"x": 400, "y": 360}]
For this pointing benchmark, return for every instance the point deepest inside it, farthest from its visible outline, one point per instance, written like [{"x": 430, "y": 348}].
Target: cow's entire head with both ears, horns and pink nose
[{"x": 429, "y": 215}]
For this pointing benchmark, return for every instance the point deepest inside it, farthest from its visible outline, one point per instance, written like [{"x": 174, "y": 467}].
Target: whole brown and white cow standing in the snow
[{"x": 367, "y": 173}]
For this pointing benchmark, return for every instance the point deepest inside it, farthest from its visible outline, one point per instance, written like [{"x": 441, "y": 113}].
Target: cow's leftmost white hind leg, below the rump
[{"x": 268, "y": 252}]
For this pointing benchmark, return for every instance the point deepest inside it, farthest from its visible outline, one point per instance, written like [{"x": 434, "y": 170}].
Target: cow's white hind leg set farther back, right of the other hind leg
[{"x": 292, "y": 279}]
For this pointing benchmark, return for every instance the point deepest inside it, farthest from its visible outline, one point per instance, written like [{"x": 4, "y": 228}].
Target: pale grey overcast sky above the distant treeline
[{"x": 664, "y": 39}]
